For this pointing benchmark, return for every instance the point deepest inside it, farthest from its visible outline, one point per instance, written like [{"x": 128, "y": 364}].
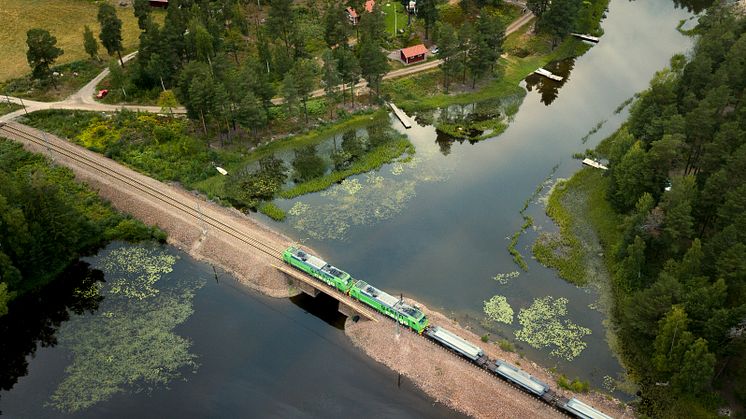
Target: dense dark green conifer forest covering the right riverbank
[{"x": 677, "y": 176}]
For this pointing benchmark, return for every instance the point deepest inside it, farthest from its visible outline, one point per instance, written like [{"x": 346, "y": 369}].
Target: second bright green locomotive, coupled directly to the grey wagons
[{"x": 389, "y": 306}]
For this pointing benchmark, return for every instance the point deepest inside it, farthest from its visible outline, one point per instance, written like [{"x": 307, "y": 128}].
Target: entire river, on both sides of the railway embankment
[{"x": 435, "y": 228}]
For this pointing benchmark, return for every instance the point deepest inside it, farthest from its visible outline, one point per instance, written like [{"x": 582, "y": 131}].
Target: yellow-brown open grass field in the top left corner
[{"x": 62, "y": 18}]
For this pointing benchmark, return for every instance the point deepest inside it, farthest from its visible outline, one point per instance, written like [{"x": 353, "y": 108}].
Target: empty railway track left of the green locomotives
[{"x": 111, "y": 172}]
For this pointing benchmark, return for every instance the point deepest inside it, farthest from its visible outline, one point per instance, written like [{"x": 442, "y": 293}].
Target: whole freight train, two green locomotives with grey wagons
[{"x": 412, "y": 317}]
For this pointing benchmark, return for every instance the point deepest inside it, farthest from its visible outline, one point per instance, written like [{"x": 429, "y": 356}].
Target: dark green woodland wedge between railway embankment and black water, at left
[{"x": 48, "y": 220}]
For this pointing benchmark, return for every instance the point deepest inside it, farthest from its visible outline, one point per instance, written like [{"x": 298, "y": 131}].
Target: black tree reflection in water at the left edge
[{"x": 34, "y": 319}]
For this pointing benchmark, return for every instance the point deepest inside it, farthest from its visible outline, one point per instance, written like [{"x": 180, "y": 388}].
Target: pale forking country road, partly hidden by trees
[{"x": 83, "y": 98}]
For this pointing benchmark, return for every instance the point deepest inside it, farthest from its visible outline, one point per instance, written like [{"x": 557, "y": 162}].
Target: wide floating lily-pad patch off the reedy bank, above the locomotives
[{"x": 363, "y": 200}]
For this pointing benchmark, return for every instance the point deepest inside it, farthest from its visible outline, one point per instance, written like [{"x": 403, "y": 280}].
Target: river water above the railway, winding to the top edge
[{"x": 437, "y": 229}]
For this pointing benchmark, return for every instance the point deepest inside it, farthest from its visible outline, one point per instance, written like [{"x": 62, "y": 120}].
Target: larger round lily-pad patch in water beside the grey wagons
[{"x": 544, "y": 326}]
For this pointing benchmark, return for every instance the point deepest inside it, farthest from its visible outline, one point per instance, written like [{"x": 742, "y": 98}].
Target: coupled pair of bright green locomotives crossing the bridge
[{"x": 360, "y": 290}]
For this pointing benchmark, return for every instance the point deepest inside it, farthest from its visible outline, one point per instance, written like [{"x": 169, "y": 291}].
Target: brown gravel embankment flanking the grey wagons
[{"x": 457, "y": 383}]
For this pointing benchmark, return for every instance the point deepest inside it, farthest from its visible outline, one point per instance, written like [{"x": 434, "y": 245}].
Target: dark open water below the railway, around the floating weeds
[{"x": 254, "y": 357}]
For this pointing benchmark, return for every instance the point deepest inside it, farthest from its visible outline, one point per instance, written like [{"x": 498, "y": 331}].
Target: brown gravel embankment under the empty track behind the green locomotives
[{"x": 187, "y": 231}]
